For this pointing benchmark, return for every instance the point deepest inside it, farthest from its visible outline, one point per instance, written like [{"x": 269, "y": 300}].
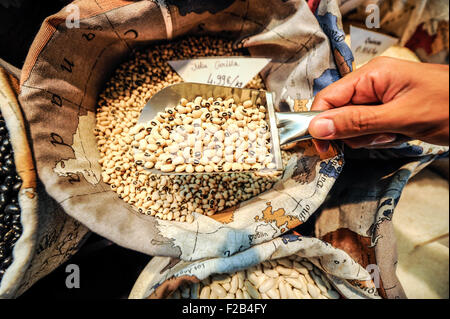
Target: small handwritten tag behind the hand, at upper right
[{"x": 368, "y": 44}]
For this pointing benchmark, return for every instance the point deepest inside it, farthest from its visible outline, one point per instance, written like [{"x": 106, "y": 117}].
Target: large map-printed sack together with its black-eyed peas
[{"x": 94, "y": 65}]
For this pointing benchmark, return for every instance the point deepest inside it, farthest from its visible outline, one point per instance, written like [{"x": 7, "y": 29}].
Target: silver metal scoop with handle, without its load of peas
[{"x": 284, "y": 127}]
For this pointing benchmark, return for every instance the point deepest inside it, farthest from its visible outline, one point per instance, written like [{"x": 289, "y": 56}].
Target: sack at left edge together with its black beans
[{"x": 35, "y": 236}]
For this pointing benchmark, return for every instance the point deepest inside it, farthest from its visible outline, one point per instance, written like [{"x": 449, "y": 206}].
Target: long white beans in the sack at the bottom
[{"x": 286, "y": 278}]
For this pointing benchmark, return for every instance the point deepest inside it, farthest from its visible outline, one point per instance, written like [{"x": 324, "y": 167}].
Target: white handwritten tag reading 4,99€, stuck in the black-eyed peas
[{"x": 224, "y": 71}]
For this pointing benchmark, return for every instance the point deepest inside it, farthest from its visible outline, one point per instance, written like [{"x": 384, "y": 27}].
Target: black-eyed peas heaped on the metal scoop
[{"x": 206, "y": 135}]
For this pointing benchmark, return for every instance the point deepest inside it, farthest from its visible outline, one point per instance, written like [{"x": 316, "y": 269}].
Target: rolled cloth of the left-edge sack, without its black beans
[{"x": 49, "y": 236}]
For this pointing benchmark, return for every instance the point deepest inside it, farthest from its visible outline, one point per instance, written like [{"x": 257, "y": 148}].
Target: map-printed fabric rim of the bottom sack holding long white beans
[{"x": 163, "y": 275}]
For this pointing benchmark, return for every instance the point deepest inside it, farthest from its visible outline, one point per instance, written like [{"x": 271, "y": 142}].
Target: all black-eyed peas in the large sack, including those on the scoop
[{"x": 119, "y": 137}]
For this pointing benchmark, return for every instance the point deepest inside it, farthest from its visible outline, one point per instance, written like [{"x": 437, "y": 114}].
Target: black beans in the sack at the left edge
[{"x": 10, "y": 183}]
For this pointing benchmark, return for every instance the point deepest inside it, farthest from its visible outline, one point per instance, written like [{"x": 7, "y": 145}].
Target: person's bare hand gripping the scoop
[{"x": 384, "y": 103}]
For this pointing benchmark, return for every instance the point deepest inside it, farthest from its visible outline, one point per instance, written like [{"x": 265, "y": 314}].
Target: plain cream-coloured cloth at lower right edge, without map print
[{"x": 423, "y": 214}]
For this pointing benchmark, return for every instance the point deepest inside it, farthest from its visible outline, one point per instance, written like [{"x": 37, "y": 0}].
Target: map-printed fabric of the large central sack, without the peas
[{"x": 66, "y": 67}]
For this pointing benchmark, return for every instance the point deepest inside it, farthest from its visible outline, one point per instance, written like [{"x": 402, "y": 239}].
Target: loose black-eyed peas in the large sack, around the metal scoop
[{"x": 119, "y": 107}]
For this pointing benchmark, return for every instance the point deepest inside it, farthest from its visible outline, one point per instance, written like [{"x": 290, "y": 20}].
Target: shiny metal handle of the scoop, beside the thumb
[{"x": 293, "y": 126}]
